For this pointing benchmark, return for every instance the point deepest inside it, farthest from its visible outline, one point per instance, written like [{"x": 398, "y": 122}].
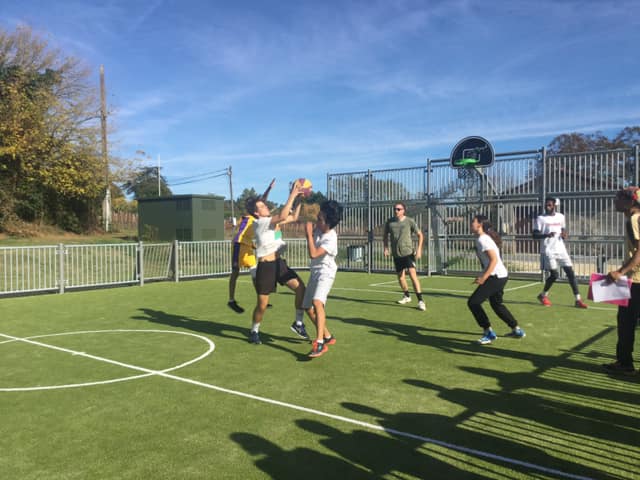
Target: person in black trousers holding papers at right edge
[{"x": 627, "y": 201}]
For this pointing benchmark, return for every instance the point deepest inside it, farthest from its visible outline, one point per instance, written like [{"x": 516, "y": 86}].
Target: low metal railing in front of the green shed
[{"x": 57, "y": 268}]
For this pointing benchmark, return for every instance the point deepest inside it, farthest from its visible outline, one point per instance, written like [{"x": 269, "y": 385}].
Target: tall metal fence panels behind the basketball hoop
[{"x": 511, "y": 193}]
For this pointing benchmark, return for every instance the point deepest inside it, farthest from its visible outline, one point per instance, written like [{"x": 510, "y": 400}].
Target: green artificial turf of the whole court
[{"x": 403, "y": 393}]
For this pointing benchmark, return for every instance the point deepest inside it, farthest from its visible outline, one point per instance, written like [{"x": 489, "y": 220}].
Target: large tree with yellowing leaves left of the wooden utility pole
[{"x": 50, "y": 164}]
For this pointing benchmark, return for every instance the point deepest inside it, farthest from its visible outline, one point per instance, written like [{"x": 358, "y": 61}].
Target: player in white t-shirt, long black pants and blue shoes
[{"x": 491, "y": 282}]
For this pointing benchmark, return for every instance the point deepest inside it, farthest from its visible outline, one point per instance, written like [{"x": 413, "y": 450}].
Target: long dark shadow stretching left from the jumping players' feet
[{"x": 222, "y": 330}]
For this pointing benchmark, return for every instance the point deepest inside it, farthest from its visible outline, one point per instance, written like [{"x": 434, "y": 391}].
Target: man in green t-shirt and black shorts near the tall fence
[{"x": 400, "y": 229}]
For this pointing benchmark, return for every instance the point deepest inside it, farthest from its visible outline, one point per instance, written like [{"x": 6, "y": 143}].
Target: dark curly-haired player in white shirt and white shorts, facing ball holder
[{"x": 322, "y": 243}]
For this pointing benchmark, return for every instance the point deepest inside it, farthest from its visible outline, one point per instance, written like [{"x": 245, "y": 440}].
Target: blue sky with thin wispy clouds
[{"x": 292, "y": 89}]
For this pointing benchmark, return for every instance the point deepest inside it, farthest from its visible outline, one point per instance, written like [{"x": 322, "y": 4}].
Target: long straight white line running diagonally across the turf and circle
[{"x": 292, "y": 406}]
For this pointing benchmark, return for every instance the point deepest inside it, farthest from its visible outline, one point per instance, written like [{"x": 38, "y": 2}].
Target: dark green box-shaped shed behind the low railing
[{"x": 181, "y": 217}]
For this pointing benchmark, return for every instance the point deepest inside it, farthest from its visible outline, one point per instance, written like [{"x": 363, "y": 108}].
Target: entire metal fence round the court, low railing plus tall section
[{"x": 441, "y": 199}]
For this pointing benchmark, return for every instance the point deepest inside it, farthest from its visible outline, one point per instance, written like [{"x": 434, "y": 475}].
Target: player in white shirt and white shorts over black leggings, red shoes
[{"x": 550, "y": 229}]
